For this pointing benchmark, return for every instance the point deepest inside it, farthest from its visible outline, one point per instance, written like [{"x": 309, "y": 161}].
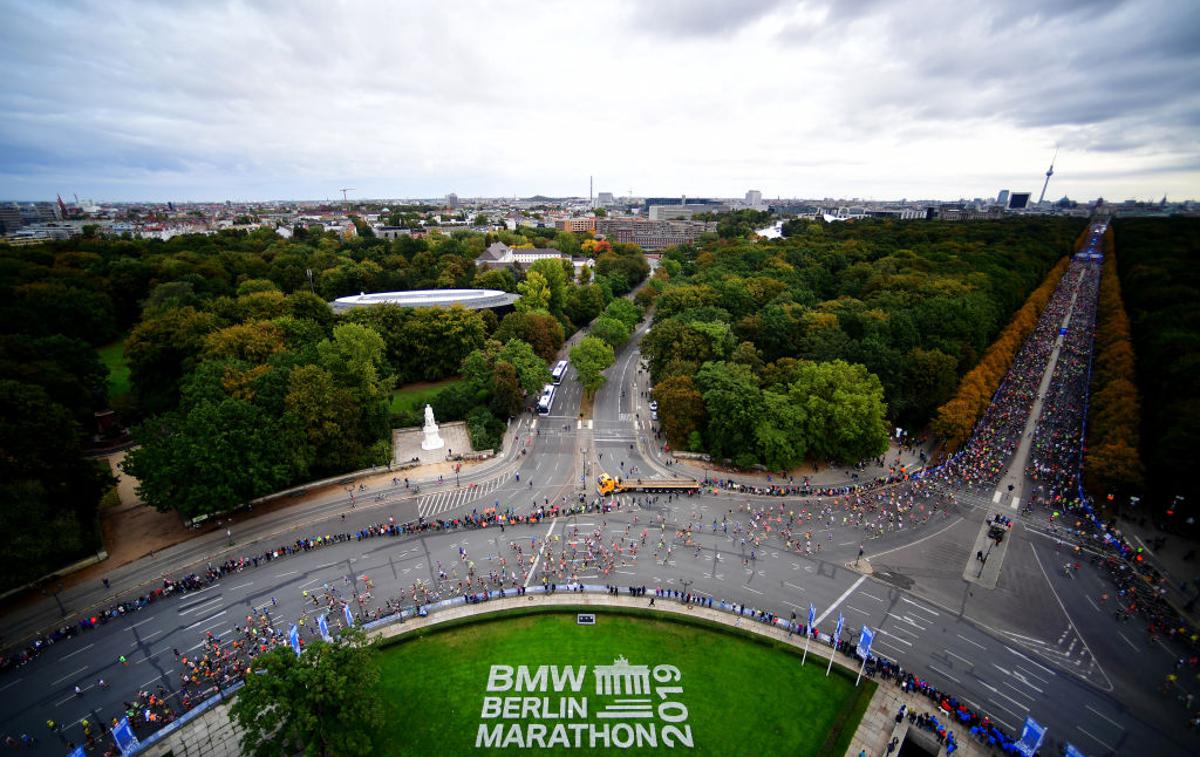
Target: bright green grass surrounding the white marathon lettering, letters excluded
[{"x": 742, "y": 696}]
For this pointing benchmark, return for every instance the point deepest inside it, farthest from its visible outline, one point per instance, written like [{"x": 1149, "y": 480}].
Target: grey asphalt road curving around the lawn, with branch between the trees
[{"x": 1037, "y": 645}]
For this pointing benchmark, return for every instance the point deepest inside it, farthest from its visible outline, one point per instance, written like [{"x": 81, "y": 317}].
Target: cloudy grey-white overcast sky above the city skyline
[{"x": 872, "y": 99}]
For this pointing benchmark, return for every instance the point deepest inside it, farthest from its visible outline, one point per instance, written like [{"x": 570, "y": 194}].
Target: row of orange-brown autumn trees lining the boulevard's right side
[{"x": 1113, "y": 465}]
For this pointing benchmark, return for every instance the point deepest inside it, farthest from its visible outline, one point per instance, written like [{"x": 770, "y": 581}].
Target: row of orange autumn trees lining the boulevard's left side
[{"x": 958, "y": 417}]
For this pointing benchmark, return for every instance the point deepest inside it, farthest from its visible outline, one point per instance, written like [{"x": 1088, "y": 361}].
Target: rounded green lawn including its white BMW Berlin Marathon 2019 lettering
[{"x": 635, "y": 682}]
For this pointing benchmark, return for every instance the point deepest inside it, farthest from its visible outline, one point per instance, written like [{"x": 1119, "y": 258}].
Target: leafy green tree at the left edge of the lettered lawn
[{"x": 322, "y": 702}]
